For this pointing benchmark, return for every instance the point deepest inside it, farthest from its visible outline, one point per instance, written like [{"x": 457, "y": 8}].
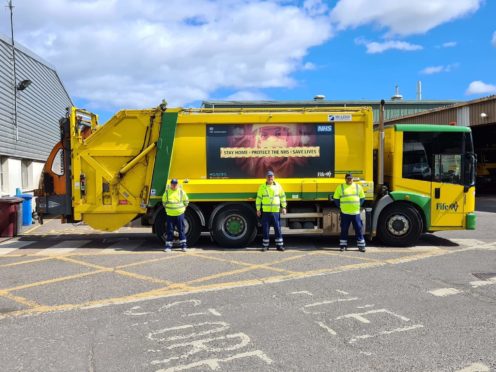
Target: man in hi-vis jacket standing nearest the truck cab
[{"x": 349, "y": 197}]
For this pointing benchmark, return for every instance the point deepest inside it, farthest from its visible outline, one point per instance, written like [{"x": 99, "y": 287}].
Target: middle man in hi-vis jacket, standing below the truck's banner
[{"x": 271, "y": 200}]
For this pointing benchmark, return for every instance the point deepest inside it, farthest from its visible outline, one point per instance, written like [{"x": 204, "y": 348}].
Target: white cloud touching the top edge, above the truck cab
[{"x": 401, "y": 17}]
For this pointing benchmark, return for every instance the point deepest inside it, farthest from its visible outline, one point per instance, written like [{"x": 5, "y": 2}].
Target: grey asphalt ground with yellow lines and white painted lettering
[{"x": 72, "y": 299}]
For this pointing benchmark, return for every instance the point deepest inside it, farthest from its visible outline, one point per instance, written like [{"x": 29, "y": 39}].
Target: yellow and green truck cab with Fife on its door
[{"x": 430, "y": 178}]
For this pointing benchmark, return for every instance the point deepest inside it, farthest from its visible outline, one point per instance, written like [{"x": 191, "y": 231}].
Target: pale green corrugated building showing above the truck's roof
[{"x": 393, "y": 109}]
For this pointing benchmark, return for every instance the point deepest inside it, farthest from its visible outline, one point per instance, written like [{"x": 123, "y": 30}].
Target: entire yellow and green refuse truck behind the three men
[{"x": 109, "y": 175}]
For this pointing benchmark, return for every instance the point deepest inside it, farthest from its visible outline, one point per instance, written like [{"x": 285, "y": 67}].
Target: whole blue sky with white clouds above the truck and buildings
[{"x": 117, "y": 54}]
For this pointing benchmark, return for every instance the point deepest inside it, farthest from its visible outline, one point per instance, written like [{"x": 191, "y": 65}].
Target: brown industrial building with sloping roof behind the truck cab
[{"x": 480, "y": 116}]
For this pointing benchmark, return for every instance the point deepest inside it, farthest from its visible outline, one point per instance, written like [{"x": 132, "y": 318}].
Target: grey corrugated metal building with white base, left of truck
[{"x": 25, "y": 147}]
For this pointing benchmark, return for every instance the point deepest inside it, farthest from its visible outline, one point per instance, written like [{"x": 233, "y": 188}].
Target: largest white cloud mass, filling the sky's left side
[{"x": 128, "y": 53}]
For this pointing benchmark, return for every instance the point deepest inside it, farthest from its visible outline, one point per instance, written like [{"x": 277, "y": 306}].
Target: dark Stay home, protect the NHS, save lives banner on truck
[{"x": 289, "y": 150}]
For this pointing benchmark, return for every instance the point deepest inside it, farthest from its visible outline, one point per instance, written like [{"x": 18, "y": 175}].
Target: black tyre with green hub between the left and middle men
[{"x": 234, "y": 226}]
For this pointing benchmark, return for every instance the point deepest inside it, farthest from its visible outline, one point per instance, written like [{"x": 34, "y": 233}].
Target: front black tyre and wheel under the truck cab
[{"x": 400, "y": 225}]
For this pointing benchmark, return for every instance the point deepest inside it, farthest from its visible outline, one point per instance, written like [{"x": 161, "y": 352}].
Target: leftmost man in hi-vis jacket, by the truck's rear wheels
[{"x": 175, "y": 201}]
